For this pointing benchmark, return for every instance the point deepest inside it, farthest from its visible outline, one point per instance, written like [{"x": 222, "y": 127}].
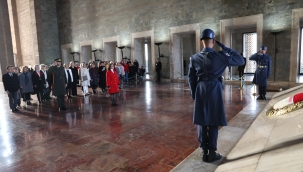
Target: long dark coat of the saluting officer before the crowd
[{"x": 59, "y": 80}]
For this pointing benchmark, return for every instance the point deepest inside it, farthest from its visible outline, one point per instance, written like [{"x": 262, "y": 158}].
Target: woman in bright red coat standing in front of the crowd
[{"x": 112, "y": 82}]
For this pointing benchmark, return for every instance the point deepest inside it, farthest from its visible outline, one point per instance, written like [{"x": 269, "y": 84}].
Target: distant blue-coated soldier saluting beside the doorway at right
[{"x": 262, "y": 72}]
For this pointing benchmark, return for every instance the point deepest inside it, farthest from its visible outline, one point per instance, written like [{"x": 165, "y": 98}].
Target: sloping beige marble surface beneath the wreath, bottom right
[{"x": 270, "y": 144}]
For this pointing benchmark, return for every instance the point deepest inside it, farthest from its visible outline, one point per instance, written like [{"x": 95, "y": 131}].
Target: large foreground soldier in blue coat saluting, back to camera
[{"x": 205, "y": 80}]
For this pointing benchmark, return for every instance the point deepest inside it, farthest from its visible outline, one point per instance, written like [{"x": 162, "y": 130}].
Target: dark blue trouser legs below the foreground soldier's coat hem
[{"x": 207, "y": 137}]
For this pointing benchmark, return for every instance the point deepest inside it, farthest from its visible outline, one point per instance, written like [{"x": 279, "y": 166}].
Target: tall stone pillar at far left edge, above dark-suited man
[{"x": 6, "y": 48}]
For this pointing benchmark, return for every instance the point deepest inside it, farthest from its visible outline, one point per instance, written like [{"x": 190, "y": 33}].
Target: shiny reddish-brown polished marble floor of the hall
[{"x": 150, "y": 130}]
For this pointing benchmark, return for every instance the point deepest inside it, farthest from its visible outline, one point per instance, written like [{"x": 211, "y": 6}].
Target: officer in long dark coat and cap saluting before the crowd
[{"x": 59, "y": 84}]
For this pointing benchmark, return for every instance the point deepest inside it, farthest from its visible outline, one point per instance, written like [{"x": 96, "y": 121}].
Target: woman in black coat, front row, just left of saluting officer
[{"x": 38, "y": 82}]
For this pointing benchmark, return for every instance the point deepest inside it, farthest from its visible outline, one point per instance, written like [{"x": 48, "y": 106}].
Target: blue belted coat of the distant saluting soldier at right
[{"x": 263, "y": 69}]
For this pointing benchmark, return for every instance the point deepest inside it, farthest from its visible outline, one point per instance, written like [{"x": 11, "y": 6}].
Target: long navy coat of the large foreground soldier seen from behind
[{"x": 209, "y": 108}]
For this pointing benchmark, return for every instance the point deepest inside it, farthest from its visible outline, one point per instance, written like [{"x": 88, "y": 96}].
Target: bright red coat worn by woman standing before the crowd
[{"x": 112, "y": 81}]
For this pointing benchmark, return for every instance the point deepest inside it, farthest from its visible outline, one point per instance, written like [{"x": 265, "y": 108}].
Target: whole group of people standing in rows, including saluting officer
[{"x": 63, "y": 80}]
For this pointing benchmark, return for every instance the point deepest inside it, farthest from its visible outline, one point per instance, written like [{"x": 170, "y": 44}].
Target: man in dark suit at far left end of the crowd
[{"x": 11, "y": 87}]
